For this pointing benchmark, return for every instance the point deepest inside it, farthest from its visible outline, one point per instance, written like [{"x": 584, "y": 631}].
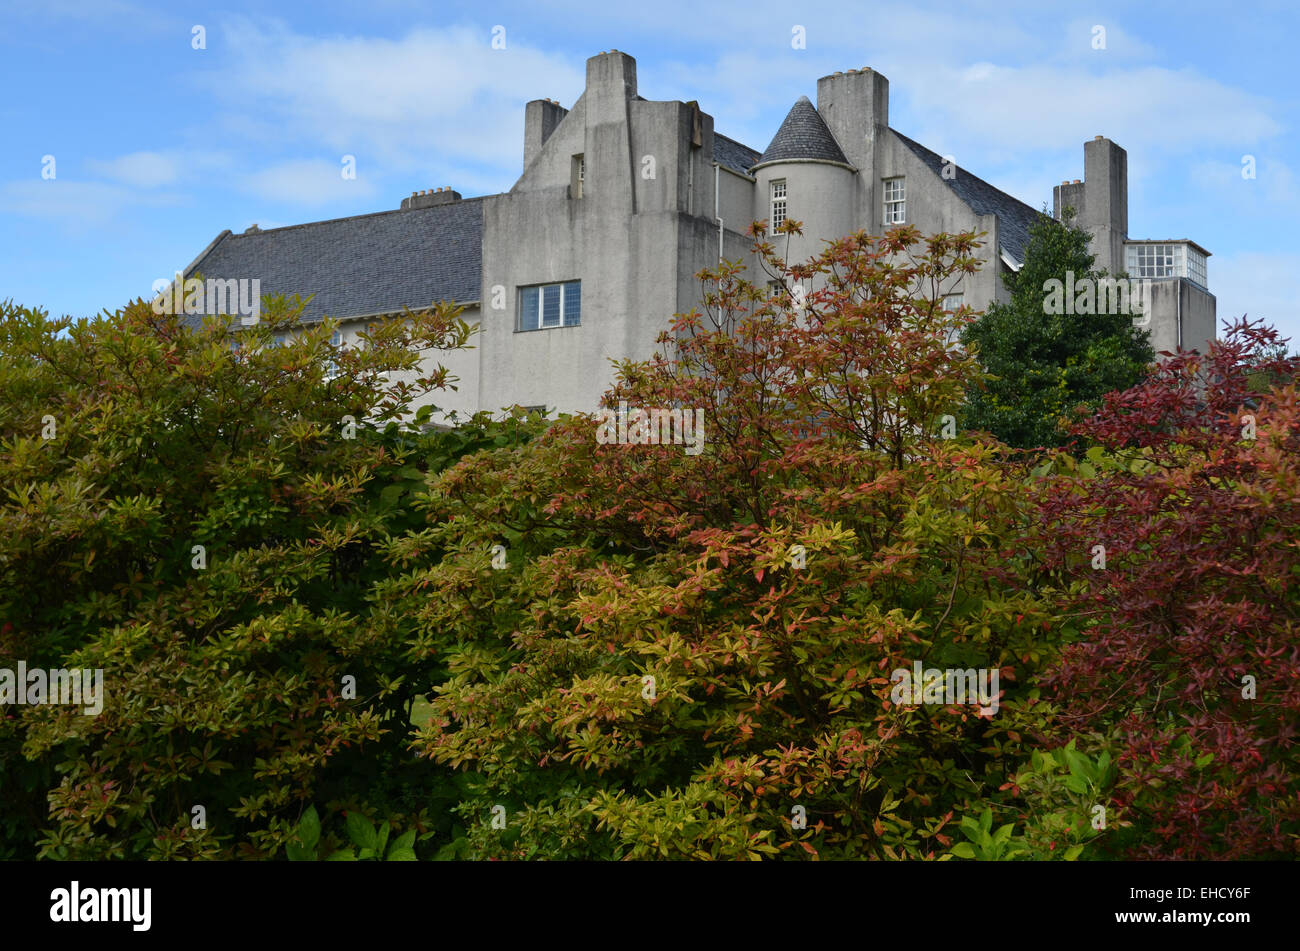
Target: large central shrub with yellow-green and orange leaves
[{"x": 691, "y": 654}]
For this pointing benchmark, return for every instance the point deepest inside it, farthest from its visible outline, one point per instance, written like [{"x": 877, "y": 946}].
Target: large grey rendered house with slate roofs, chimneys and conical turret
[{"x": 623, "y": 201}]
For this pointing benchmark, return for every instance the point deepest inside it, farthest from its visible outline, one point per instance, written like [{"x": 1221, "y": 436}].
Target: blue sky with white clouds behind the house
[{"x": 158, "y": 146}]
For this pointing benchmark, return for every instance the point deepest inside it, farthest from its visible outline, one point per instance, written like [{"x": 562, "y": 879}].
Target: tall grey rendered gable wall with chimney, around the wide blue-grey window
[{"x": 635, "y": 240}]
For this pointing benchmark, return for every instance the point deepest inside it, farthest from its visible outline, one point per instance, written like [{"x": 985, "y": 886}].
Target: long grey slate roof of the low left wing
[{"x": 362, "y": 266}]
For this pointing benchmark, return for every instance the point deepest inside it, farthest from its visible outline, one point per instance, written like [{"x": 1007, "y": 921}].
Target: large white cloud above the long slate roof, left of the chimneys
[{"x": 443, "y": 95}]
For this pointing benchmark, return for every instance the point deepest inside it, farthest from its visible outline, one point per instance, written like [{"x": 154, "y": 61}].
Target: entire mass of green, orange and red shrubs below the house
[{"x": 562, "y": 648}]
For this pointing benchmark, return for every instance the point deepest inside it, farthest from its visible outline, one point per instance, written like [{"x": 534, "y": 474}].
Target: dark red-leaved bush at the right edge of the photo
[{"x": 1191, "y": 665}]
